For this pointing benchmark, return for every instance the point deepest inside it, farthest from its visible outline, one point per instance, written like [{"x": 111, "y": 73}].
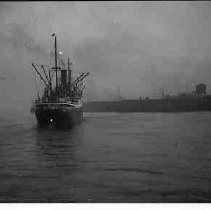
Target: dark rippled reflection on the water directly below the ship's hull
[{"x": 58, "y": 147}]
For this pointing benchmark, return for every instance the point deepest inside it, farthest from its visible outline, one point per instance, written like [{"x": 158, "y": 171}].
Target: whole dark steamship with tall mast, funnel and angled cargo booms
[{"x": 61, "y": 102}]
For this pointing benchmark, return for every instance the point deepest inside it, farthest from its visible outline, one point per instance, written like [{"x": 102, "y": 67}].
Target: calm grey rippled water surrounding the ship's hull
[{"x": 139, "y": 157}]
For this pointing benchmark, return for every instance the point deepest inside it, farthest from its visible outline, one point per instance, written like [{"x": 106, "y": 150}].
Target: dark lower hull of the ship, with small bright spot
[{"x": 58, "y": 117}]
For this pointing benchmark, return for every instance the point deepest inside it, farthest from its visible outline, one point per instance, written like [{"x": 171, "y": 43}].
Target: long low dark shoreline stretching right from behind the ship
[{"x": 151, "y": 105}]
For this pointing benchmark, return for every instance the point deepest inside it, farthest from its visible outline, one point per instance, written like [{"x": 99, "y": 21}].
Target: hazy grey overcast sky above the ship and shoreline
[{"x": 132, "y": 49}]
